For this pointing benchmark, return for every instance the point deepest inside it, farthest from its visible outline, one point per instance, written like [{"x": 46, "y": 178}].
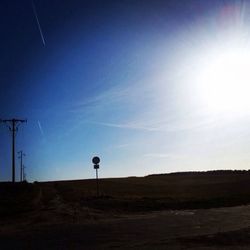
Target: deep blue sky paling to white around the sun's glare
[{"x": 118, "y": 79}]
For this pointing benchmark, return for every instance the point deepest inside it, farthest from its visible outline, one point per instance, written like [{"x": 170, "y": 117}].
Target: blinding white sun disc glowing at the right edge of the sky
[{"x": 223, "y": 81}]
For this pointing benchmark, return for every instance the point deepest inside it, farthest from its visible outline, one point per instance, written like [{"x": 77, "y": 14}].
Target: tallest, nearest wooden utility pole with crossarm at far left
[{"x": 13, "y": 125}]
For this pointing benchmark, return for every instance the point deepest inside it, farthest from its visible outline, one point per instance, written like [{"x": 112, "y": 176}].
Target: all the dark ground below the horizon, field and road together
[{"x": 207, "y": 210}]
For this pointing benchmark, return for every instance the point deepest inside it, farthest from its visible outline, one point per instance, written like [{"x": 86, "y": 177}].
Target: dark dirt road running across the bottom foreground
[{"x": 221, "y": 228}]
